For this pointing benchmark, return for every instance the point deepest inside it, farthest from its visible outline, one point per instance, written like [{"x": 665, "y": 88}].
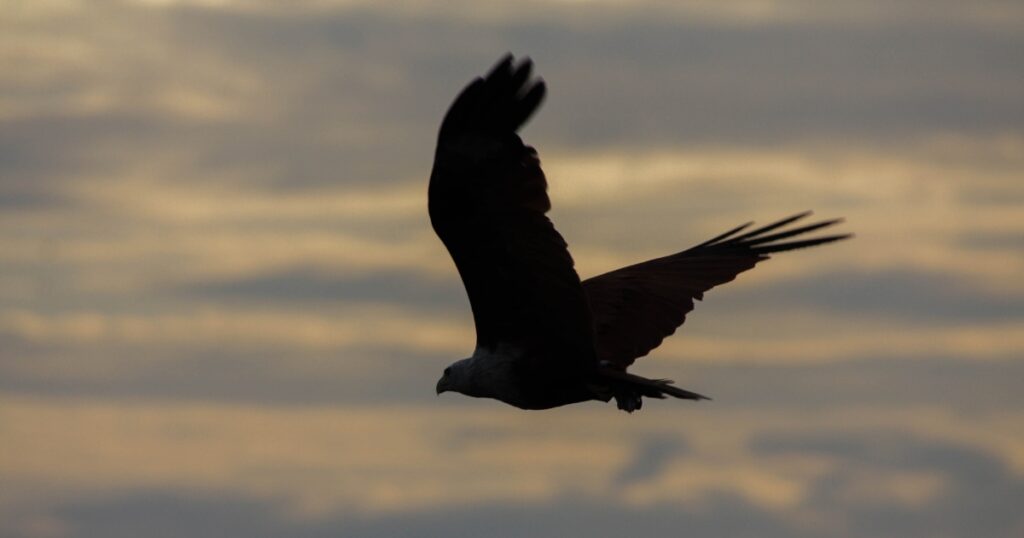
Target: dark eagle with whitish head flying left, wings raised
[{"x": 544, "y": 339}]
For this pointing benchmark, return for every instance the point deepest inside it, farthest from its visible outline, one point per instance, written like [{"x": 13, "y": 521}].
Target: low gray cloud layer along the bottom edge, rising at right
[{"x": 980, "y": 496}]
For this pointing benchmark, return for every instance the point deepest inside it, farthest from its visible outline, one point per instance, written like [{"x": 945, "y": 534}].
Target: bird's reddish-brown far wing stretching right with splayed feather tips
[{"x": 636, "y": 308}]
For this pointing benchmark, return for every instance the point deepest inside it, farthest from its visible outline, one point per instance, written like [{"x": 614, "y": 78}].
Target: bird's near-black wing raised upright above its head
[{"x": 488, "y": 203}]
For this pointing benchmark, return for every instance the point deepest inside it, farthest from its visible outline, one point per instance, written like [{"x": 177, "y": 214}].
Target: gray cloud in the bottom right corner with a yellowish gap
[{"x": 901, "y": 484}]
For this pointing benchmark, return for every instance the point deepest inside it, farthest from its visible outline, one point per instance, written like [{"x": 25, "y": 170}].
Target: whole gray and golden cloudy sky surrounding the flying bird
[{"x": 224, "y": 312}]
